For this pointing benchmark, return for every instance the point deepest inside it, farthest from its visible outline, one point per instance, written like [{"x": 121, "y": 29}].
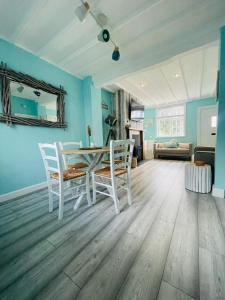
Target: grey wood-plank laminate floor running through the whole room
[{"x": 169, "y": 245}]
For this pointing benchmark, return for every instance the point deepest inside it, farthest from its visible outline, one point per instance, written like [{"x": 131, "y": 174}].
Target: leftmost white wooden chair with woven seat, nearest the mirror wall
[{"x": 57, "y": 177}]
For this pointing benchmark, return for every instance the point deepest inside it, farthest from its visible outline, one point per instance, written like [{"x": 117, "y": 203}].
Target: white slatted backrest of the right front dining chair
[{"x": 121, "y": 150}]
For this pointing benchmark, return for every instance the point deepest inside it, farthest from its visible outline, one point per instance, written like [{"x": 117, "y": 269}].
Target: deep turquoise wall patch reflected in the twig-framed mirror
[{"x": 24, "y": 106}]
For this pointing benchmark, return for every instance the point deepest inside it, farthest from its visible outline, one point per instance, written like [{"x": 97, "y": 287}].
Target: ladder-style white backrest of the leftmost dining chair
[{"x": 52, "y": 159}]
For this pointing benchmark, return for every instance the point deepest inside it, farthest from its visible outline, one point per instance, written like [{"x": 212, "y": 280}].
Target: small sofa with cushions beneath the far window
[{"x": 174, "y": 149}]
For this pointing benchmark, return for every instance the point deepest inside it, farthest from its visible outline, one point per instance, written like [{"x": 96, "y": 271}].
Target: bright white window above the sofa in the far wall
[{"x": 170, "y": 121}]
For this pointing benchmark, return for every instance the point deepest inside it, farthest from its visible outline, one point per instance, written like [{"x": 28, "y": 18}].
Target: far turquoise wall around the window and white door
[{"x": 191, "y": 122}]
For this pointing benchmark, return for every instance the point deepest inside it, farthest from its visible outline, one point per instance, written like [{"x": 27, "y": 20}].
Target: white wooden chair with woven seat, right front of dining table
[{"x": 118, "y": 175}]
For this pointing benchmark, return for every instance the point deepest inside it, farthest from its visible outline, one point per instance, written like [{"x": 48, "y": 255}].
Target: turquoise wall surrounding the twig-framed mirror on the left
[{"x": 20, "y": 160}]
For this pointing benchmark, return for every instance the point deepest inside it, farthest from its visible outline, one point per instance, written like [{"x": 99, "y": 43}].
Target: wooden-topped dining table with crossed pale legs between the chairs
[{"x": 92, "y": 157}]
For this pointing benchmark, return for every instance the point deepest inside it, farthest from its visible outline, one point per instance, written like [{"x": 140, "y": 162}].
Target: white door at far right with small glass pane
[{"x": 207, "y": 125}]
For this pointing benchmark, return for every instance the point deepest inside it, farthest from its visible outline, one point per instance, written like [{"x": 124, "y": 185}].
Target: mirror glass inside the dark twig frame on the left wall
[{"x": 28, "y": 102}]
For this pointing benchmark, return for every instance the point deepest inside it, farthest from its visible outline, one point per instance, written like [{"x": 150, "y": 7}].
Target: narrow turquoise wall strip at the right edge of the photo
[{"x": 220, "y": 147}]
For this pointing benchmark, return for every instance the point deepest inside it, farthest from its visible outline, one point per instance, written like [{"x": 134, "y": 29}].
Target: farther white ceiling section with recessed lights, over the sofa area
[{"x": 189, "y": 76}]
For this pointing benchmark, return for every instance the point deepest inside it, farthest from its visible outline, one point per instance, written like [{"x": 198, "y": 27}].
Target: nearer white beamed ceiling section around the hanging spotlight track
[{"x": 147, "y": 32}]
